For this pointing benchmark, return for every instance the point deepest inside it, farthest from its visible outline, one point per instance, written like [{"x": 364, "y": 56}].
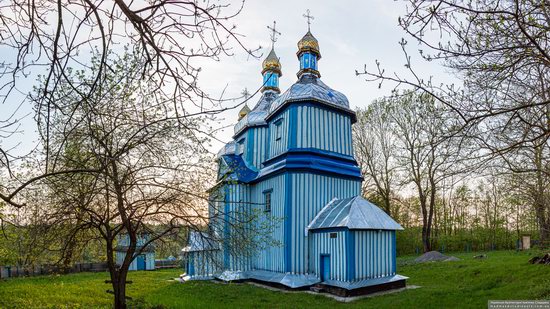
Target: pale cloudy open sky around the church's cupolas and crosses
[{"x": 351, "y": 34}]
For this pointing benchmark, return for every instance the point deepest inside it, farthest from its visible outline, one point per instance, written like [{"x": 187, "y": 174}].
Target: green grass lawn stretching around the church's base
[{"x": 462, "y": 284}]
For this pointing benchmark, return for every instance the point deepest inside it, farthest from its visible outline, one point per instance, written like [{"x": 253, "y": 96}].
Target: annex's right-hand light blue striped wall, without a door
[{"x": 374, "y": 254}]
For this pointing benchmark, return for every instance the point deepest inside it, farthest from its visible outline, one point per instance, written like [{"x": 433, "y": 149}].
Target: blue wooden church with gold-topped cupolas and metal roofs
[{"x": 292, "y": 159}]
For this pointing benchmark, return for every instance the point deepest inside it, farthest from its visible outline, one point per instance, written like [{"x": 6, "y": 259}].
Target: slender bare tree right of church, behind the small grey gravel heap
[{"x": 426, "y": 155}]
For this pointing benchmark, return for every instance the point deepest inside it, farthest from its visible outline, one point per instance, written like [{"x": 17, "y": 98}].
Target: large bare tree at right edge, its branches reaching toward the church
[{"x": 500, "y": 52}]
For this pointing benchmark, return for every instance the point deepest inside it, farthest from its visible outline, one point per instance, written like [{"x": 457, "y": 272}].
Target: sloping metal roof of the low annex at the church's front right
[{"x": 353, "y": 213}]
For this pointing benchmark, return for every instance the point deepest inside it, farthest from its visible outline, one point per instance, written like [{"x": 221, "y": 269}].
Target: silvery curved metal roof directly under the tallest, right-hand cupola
[{"x": 310, "y": 87}]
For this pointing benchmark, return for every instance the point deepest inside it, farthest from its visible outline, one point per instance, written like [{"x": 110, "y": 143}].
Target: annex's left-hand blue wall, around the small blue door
[{"x": 323, "y": 243}]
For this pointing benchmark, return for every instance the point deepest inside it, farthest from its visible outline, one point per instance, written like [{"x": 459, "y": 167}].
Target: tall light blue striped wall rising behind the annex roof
[{"x": 310, "y": 193}]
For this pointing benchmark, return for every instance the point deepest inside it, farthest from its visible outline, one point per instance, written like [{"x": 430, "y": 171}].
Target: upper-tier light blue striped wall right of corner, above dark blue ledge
[{"x": 323, "y": 129}]
